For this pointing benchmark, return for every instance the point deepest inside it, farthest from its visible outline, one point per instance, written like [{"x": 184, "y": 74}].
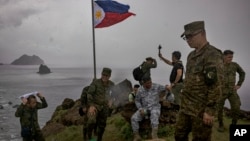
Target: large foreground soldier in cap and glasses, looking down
[{"x": 202, "y": 86}]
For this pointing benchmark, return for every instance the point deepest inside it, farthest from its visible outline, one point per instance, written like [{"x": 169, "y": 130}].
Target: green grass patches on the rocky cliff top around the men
[{"x": 118, "y": 129}]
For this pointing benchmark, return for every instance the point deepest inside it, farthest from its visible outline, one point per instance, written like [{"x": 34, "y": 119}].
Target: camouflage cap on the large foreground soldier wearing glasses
[{"x": 192, "y": 27}]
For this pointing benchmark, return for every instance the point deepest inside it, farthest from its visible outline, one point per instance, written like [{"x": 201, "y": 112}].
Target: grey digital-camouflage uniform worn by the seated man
[{"x": 148, "y": 100}]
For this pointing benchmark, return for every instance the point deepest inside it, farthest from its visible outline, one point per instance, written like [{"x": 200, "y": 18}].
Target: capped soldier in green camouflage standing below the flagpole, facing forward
[{"x": 99, "y": 95}]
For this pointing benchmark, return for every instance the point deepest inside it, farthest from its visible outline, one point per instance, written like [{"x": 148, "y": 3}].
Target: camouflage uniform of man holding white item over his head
[{"x": 29, "y": 119}]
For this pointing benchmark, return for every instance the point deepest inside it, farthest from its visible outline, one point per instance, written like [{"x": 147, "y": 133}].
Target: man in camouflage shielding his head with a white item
[{"x": 27, "y": 111}]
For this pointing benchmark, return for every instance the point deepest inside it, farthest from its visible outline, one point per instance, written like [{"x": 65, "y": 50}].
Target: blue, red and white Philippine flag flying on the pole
[{"x": 108, "y": 12}]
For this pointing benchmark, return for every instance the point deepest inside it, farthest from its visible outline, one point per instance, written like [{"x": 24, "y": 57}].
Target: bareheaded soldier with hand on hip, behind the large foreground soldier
[{"x": 230, "y": 89}]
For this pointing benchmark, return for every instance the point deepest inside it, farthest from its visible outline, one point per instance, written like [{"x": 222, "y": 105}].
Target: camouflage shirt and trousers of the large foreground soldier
[{"x": 199, "y": 95}]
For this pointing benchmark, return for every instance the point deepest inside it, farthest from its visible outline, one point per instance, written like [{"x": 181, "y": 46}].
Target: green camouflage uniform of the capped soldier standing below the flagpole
[{"x": 99, "y": 95}]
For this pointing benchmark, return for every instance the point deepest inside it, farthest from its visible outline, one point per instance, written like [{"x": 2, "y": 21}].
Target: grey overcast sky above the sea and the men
[{"x": 60, "y": 32}]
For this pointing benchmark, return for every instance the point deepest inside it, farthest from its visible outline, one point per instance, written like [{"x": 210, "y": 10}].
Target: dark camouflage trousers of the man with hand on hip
[{"x": 235, "y": 104}]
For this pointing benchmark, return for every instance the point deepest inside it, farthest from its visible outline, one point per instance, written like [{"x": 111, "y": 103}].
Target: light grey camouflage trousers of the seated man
[{"x": 137, "y": 117}]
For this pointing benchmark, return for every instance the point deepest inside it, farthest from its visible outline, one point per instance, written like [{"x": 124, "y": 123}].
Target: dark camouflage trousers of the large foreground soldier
[{"x": 186, "y": 124}]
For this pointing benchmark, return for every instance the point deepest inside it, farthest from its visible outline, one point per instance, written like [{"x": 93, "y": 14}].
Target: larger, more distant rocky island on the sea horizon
[{"x": 28, "y": 60}]
